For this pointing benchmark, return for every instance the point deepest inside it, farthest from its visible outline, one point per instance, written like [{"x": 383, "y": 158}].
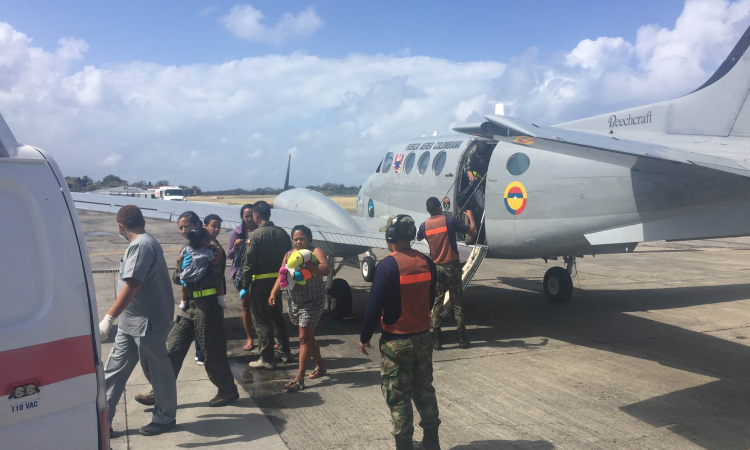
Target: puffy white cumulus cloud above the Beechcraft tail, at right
[{"x": 609, "y": 73}]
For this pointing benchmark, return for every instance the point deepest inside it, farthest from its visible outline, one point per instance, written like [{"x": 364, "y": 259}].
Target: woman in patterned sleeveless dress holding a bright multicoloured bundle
[{"x": 305, "y": 307}]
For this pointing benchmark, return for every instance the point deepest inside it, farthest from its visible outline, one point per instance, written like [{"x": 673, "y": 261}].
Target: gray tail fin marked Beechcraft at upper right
[{"x": 716, "y": 108}]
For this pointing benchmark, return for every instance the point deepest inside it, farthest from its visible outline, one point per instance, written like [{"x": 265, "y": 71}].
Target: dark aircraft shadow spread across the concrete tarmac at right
[{"x": 713, "y": 415}]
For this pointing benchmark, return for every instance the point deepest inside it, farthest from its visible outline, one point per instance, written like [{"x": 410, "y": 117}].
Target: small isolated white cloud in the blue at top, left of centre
[{"x": 245, "y": 22}]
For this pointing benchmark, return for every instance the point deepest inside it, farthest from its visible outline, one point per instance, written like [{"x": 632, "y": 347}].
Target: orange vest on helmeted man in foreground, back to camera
[{"x": 414, "y": 270}]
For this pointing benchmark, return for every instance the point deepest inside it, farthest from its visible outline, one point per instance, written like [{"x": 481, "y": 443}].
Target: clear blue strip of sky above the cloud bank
[{"x": 188, "y": 32}]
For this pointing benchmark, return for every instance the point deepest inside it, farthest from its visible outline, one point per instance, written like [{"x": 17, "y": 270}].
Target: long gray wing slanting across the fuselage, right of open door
[{"x": 637, "y": 155}]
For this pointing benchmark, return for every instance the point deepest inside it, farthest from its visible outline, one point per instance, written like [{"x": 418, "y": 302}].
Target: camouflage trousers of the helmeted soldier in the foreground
[{"x": 406, "y": 376}]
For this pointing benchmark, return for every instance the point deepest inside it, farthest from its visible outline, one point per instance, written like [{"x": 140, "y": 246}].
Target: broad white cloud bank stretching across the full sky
[{"x": 338, "y": 115}]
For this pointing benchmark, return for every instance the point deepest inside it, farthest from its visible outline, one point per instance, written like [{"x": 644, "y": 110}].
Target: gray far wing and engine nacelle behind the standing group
[{"x": 333, "y": 229}]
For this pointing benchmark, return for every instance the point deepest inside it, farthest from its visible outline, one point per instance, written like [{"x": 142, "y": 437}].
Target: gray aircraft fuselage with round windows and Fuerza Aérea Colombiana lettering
[{"x": 567, "y": 206}]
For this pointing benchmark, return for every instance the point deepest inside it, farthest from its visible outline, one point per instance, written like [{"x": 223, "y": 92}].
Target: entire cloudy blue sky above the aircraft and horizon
[{"x": 216, "y": 94}]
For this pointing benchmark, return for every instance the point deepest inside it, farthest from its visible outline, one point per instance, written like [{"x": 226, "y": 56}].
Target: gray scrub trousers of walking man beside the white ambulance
[{"x": 151, "y": 350}]
